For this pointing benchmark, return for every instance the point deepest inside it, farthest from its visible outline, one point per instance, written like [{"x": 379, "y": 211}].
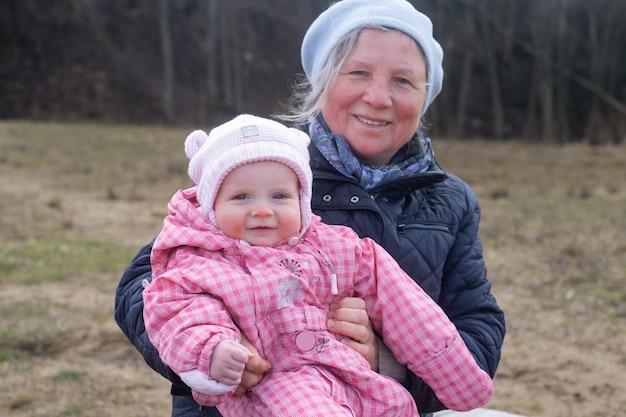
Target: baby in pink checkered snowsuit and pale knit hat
[{"x": 242, "y": 253}]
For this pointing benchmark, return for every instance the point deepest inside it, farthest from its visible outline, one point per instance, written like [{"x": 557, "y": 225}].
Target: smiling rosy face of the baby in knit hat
[{"x": 259, "y": 202}]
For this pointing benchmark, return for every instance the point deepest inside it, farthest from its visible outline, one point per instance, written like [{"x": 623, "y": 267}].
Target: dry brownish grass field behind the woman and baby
[{"x": 77, "y": 201}]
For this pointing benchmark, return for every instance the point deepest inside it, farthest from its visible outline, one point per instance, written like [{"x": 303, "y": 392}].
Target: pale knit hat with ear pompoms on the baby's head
[{"x": 240, "y": 141}]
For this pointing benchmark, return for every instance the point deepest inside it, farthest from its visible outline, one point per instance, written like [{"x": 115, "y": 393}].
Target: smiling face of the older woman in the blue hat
[{"x": 378, "y": 96}]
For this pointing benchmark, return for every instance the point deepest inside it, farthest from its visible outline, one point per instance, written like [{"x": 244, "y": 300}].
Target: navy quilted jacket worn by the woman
[{"x": 429, "y": 224}]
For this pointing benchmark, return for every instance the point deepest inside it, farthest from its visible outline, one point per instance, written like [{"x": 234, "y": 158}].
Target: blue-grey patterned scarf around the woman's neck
[{"x": 410, "y": 159}]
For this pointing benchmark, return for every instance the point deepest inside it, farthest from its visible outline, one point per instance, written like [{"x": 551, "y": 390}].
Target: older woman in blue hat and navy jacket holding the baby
[{"x": 373, "y": 68}]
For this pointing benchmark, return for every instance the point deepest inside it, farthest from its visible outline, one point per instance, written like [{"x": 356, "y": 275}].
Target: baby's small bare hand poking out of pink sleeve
[{"x": 228, "y": 361}]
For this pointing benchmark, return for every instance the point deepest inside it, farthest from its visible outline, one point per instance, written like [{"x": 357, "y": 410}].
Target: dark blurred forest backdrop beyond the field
[{"x": 544, "y": 70}]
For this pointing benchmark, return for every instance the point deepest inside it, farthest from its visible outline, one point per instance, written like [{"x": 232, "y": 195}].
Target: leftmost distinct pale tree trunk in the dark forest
[{"x": 168, "y": 60}]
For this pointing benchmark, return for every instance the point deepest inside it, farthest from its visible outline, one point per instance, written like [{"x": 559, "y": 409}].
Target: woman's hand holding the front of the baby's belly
[{"x": 348, "y": 317}]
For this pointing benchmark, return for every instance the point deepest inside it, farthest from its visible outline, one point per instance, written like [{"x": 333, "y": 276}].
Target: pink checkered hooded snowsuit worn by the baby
[{"x": 208, "y": 287}]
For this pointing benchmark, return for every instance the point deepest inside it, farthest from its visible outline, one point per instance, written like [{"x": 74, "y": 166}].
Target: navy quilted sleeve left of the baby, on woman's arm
[{"x": 129, "y": 313}]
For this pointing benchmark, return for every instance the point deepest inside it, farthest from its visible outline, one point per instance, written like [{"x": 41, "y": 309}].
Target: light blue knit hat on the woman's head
[{"x": 344, "y": 16}]
